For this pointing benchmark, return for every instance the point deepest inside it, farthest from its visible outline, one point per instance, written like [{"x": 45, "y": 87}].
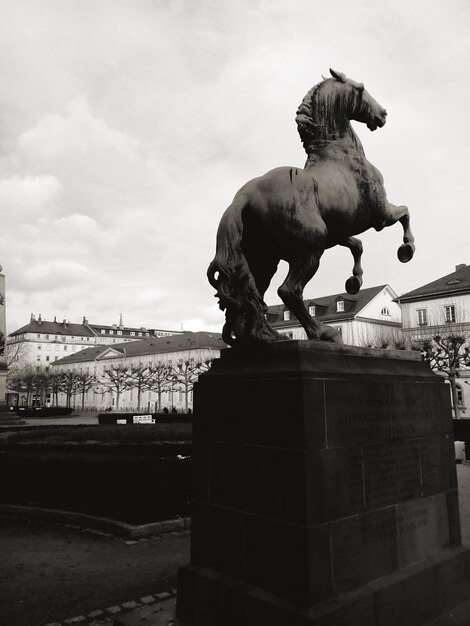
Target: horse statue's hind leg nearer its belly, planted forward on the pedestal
[{"x": 301, "y": 270}]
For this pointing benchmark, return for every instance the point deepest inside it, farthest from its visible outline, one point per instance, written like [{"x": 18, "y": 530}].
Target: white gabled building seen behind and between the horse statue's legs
[{"x": 371, "y": 317}]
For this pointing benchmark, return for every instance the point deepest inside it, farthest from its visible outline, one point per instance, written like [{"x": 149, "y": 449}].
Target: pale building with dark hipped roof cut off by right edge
[{"x": 441, "y": 307}]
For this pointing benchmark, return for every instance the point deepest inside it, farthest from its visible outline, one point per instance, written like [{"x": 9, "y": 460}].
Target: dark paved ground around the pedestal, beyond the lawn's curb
[{"x": 54, "y": 574}]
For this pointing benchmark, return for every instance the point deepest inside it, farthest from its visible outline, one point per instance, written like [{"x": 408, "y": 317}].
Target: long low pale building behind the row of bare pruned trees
[{"x": 186, "y": 354}]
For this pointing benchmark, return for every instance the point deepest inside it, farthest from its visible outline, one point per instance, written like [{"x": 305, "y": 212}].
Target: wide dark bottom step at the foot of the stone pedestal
[{"x": 411, "y": 597}]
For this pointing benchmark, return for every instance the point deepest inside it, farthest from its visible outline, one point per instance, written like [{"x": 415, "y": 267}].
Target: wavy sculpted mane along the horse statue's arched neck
[{"x": 318, "y": 113}]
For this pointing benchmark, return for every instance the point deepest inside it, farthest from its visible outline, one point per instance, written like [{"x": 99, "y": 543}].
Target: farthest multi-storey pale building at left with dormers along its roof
[{"x": 42, "y": 342}]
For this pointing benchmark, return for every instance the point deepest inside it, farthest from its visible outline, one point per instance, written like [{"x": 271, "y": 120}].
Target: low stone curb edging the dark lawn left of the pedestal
[{"x": 90, "y": 522}]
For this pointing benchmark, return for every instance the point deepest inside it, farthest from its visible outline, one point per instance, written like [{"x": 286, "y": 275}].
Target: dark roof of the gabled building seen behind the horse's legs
[{"x": 325, "y": 307}]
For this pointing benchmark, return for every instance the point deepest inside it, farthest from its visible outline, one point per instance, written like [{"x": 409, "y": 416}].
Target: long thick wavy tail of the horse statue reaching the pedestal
[{"x": 231, "y": 277}]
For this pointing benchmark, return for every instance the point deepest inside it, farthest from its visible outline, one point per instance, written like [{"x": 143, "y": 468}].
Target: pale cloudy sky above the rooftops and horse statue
[{"x": 126, "y": 127}]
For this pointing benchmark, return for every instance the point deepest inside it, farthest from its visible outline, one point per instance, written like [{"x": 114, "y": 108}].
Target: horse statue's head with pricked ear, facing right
[{"x": 359, "y": 104}]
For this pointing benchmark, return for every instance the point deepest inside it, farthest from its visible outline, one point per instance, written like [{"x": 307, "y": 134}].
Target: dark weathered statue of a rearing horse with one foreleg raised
[{"x": 296, "y": 214}]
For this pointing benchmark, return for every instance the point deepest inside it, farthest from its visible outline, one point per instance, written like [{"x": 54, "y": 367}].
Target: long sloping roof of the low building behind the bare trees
[{"x": 150, "y": 345}]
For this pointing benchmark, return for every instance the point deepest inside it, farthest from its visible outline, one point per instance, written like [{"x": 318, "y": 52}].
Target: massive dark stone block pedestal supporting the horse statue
[{"x": 324, "y": 491}]
